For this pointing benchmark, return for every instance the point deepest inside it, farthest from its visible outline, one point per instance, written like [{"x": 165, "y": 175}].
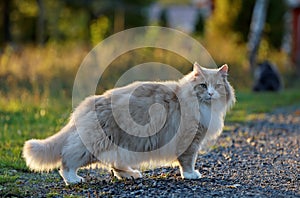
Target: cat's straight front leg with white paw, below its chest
[{"x": 187, "y": 162}]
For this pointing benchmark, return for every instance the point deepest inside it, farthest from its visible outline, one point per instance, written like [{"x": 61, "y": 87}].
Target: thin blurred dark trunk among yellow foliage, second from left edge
[{"x": 41, "y": 23}]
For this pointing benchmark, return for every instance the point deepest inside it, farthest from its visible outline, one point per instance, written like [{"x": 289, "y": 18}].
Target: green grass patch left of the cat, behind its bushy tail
[{"x": 20, "y": 121}]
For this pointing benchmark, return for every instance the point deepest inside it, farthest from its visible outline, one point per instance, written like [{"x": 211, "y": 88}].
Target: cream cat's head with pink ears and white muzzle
[{"x": 211, "y": 84}]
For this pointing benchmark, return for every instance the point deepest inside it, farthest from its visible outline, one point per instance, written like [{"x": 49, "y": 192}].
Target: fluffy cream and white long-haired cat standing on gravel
[{"x": 165, "y": 122}]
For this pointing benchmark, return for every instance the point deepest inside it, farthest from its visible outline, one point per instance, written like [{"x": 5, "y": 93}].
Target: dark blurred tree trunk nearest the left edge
[{"x": 6, "y": 21}]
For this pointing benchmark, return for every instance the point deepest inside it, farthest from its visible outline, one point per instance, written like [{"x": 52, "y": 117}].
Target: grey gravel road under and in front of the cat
[{"x": 260, "y": 158}]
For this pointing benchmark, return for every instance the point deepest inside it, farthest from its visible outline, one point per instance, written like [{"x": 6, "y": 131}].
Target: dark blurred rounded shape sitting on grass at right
[{"x": 266, "y": 78}]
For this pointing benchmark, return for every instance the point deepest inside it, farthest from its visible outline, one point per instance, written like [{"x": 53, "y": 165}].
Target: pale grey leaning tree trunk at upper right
[{"x": 256, "y": 29}]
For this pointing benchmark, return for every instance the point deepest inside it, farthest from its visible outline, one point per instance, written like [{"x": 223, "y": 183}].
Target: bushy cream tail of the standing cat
[{"x": 45, "y": 155}]
